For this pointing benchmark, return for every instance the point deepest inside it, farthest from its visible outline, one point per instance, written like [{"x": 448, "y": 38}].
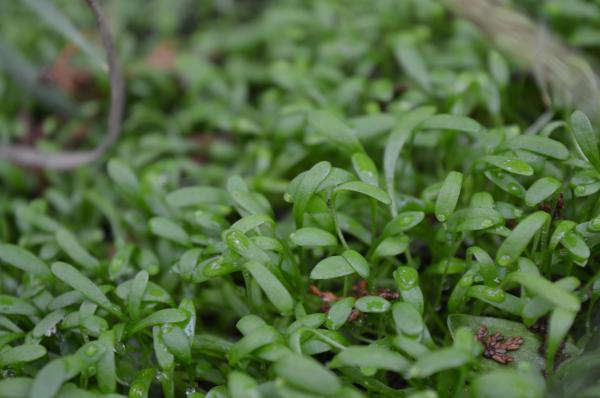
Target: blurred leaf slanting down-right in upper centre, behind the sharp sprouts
[{"x": 335, "y": 130}]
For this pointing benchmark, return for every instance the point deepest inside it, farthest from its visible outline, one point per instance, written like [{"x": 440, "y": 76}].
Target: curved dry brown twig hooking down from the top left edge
[{"x": 27, "y": 156}]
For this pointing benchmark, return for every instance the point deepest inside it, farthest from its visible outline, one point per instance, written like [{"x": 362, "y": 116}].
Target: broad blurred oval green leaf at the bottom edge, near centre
[{"x": 297, "y": 370}]
